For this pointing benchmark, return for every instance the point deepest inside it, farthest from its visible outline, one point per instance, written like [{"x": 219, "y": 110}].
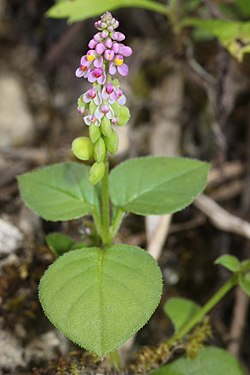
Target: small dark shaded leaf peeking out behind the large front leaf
[{"x": 59, "y": 243}]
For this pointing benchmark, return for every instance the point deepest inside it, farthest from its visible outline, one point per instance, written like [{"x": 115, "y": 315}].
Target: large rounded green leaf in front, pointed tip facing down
[{"x": 99, "y": 298}]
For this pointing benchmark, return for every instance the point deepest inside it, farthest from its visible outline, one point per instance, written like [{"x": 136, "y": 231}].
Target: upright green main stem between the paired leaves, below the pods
[{"x": 106, "y": 240}]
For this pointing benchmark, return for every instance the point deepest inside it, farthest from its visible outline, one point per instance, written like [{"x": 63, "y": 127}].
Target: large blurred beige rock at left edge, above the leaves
[{"x": 16, "y": 122}]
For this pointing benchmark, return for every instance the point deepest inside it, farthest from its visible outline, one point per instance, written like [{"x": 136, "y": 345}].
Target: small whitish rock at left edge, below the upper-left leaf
[{"x": 10, "y": 238}]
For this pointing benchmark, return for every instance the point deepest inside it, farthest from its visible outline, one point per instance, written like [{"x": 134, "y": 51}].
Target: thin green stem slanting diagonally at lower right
[{"x": 204, "y": 310}]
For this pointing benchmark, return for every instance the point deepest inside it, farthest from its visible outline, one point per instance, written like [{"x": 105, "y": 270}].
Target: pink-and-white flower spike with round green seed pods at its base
[{"x": 103, "y": 105}]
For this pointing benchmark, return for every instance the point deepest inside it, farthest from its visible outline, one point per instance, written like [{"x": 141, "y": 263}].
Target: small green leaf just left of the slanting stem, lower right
[{"x": 180, "y": 311}]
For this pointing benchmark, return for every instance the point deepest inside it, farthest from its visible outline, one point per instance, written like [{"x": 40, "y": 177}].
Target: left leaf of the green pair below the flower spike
[{"x": 59, "y": 192}]
